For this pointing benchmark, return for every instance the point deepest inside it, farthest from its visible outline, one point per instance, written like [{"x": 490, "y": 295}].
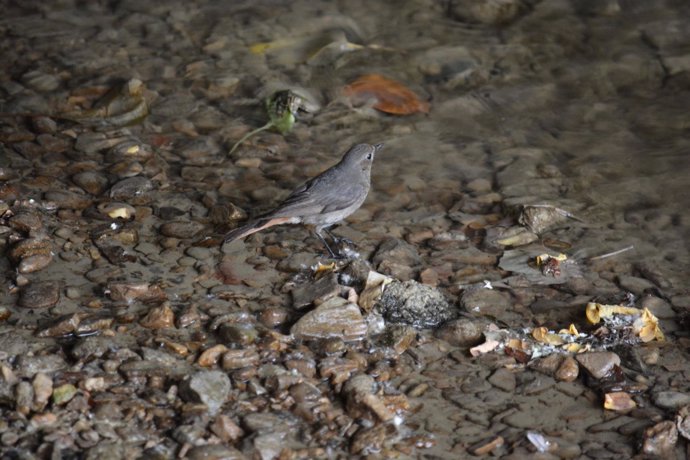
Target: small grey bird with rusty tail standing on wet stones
[{"x": 324, "y": 200}]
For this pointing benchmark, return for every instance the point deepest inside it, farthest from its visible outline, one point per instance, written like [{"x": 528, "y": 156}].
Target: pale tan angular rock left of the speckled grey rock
[{"x": 335, "y": 318}]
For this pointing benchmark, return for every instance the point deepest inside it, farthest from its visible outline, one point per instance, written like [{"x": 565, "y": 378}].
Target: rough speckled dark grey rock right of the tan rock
[{"x": 415, "y": 304}]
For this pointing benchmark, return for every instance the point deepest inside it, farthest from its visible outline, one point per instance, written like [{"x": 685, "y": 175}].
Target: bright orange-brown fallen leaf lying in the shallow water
[{"x": 391, "y": 96}]
